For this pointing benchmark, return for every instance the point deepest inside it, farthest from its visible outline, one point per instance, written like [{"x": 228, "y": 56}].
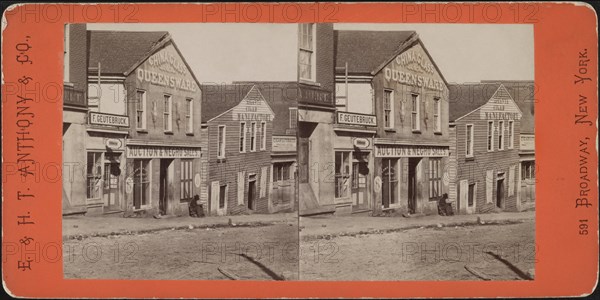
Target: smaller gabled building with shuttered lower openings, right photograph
[{"x": 485, "y": 129}]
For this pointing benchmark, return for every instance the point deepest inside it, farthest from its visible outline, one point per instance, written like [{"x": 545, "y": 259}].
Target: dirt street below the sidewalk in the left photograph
[{"x": 256, "y": 253}]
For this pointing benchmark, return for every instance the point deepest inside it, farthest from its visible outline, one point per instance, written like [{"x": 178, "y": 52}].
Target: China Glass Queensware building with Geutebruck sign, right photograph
[{"x": 392, "y": 141}]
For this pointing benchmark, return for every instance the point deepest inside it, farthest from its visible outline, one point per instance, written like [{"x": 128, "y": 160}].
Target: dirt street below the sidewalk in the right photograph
[{"x": 475, "y": 252}]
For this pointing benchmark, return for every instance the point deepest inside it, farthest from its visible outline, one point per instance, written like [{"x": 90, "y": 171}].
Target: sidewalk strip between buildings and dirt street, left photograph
[{"x": 74, "y": 226}]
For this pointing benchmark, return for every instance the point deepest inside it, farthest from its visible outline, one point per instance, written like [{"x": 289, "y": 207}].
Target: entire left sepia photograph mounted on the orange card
[{"x": 180, "y": 145}]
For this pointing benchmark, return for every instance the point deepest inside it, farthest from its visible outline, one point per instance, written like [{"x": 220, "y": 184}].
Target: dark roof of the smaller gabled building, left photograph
[{"x": 218, "y": 99}]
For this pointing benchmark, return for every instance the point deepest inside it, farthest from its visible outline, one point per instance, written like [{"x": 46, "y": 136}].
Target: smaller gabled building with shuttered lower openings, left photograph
[{"x": 239, "y": 125}]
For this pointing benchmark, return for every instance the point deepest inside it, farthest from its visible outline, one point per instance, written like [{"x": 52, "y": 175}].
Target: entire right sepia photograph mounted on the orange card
[{"x": 416, "y": 152}]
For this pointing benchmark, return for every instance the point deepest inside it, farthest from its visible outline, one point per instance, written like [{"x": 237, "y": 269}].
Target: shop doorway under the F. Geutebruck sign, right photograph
[{"x": 359, "y": 180}]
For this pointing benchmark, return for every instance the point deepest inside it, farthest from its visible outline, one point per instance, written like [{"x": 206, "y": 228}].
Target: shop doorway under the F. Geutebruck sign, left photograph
[{"x": 111, "y": 176}]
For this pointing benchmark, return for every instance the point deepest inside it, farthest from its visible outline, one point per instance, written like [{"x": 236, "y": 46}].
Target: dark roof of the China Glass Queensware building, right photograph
[{"x": 365, "y": 51}]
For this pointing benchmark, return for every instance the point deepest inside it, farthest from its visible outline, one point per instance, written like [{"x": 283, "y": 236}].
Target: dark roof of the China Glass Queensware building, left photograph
[{"x": 118, "y": 51}]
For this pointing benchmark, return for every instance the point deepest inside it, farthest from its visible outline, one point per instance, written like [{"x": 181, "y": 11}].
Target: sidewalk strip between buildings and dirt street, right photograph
[{"x": 317, "y": 226}]
